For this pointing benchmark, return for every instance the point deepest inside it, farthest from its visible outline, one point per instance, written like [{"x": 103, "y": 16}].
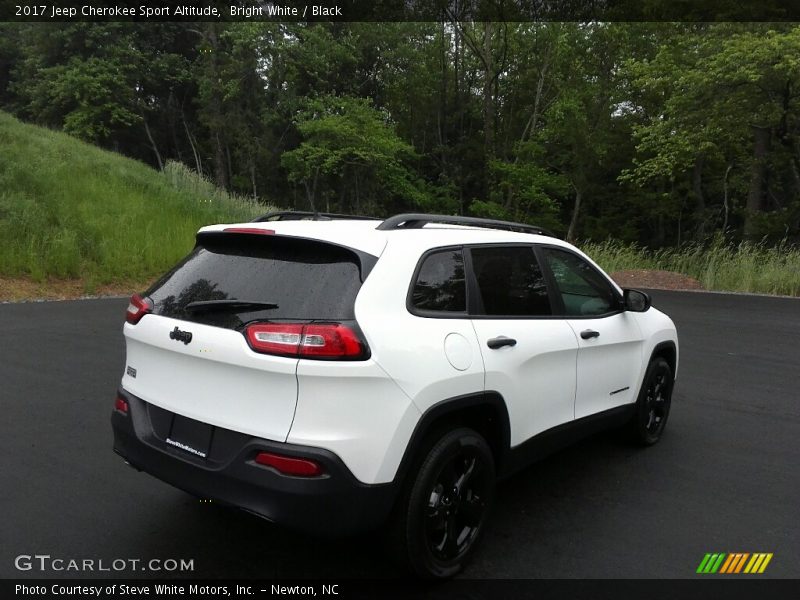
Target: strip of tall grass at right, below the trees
[{"x": 743, "y": 267}]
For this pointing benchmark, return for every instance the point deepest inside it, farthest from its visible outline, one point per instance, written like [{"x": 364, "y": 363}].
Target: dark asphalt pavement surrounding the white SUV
[{"x": 724, "y": 478}]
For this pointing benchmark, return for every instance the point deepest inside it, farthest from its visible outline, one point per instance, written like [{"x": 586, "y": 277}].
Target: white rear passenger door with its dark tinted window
[{"x": 529, "y": 356}]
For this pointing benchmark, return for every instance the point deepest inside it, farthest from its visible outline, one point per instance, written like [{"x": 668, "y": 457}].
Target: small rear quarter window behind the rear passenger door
[{"x": 440, "y": 285}]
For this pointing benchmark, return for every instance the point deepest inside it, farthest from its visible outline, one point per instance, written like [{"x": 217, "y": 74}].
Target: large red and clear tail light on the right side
[{"x": 307, "y": 340}]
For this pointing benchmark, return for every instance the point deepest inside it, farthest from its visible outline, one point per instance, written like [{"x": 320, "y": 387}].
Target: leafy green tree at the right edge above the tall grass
[{"x": 728, "y": 94}]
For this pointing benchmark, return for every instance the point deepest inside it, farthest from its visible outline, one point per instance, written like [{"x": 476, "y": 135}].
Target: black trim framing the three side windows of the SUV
[{"x": 473, "y": 295}]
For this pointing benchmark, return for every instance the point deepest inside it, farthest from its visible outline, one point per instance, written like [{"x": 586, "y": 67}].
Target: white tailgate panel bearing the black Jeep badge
[{"x": 216, "y": 378}]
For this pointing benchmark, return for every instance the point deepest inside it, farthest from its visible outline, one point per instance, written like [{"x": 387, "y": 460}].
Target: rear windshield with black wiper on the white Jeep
[{"x": 305, "y": 279}]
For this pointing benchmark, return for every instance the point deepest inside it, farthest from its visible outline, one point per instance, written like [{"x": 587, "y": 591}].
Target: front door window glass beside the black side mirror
[{"x": 585, "y": 292}]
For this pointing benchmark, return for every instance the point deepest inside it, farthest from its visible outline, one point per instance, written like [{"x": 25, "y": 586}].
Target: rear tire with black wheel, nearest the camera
[{"x": 444, "y": 508}]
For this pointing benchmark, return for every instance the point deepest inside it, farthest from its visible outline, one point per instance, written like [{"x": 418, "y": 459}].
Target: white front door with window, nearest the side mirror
[{"x": 610, "y": 341}]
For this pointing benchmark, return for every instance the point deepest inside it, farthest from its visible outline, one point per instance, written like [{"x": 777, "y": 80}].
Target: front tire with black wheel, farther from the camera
[{"x": 653, "y": 404}]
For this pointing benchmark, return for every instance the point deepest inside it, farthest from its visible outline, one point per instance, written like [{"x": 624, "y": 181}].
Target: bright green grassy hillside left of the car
[{"x": 71, "y": 210}]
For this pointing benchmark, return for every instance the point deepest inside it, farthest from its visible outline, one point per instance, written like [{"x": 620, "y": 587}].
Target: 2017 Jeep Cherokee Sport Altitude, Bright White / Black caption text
[{"x": 53, "y": 11}]
